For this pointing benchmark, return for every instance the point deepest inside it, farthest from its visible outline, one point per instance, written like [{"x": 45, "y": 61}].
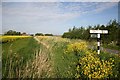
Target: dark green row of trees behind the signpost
[{"x": 113, "y": 35}]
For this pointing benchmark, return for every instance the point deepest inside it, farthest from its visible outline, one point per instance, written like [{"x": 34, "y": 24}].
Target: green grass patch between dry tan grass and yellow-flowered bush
[{"x": 64, "y": 64}]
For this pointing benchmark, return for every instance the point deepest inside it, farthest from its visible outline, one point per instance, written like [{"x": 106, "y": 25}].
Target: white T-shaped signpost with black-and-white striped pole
[{"x": 98, "y": 32}]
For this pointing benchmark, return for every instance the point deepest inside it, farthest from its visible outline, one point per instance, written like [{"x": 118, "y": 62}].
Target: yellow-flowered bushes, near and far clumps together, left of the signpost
[{"x": 90, "y": 65}]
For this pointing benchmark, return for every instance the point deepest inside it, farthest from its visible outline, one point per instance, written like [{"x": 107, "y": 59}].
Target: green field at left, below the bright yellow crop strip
[{"x": 16, "y": 54}]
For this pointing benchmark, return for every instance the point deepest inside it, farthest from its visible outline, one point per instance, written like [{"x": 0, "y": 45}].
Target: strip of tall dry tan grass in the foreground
[{"x": 41, "y": 65}]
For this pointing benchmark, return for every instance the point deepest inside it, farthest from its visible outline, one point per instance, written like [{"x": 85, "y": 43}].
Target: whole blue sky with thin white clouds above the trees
[{"x": 55, "y": 17}]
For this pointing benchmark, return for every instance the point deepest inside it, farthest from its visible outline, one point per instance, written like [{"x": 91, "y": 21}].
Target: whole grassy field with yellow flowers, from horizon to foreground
[{"x": 55, "y": 57}]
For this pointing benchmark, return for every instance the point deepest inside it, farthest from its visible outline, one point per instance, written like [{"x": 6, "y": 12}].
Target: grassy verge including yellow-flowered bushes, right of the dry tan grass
[{"x": 76, "y": 57}]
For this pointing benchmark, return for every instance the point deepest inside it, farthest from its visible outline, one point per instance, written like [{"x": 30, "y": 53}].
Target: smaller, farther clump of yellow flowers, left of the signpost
[{"x": 76, "y": 47}]
